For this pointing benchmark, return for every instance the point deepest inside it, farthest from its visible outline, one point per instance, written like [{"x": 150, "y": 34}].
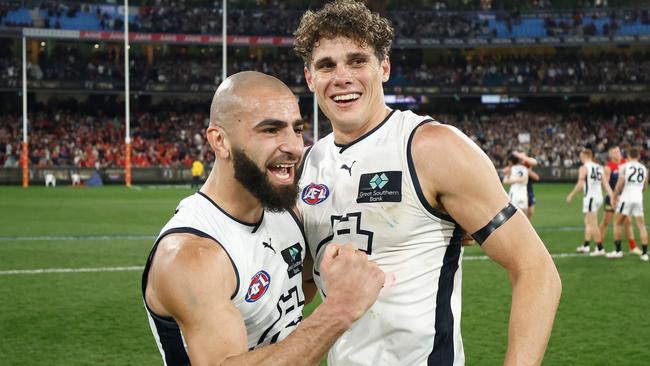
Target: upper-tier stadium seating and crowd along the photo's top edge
[{"x": 276, "y": 18}]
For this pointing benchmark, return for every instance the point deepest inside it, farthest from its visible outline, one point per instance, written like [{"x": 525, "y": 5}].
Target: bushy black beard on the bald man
[{"x": 274, "y": 199}]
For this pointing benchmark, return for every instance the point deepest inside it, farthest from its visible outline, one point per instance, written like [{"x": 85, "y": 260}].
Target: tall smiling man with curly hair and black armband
[{"x": 404, "y": 188}]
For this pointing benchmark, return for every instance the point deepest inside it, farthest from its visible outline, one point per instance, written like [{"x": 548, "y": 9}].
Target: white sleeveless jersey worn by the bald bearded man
[{"x": 267, "y": 259}]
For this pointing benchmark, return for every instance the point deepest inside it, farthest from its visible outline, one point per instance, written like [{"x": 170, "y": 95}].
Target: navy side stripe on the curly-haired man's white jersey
[{"x": 443, "y": 342}]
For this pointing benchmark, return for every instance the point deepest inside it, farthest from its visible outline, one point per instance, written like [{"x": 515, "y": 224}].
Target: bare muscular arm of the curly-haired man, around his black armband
[{"x": 448, "y": 166}]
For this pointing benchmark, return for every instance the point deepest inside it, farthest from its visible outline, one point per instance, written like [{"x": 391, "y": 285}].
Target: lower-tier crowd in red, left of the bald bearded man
[{"x": 72, "y": 139}]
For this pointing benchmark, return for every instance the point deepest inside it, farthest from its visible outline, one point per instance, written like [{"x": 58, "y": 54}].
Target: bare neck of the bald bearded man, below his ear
[{"x": 222, "y": 187}]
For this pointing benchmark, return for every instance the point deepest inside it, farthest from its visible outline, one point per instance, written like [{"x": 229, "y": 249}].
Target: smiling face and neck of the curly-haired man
[{"x": 347, "y": 80}]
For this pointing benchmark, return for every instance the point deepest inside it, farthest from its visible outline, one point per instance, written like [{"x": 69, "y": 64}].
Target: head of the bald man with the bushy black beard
[{"x": 257, "y": 133}]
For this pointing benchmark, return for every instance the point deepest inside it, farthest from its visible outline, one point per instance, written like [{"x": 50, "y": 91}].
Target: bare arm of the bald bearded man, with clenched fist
[{"x": 192, "y": 280}]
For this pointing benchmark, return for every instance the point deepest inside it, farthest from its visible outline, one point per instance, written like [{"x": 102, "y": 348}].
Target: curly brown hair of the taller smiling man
[{"x": 347, "y": 18}]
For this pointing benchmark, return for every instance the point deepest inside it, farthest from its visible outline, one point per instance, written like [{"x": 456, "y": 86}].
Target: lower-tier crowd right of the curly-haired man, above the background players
[{"x": 554, "y": 139}]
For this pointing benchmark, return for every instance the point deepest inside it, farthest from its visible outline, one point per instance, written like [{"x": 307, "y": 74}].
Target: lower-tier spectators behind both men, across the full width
[{"x": 173, "y": 139}]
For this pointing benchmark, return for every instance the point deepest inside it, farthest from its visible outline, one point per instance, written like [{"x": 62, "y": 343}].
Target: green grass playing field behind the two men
[{"x": 97, "y": 317}]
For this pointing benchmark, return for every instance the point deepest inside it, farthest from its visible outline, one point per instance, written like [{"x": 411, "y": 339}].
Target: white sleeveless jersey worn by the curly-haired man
[{"x": 367, "y": 193}]
